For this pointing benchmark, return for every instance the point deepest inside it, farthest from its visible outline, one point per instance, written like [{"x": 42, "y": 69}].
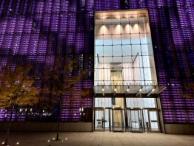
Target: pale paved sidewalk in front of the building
[{"x": 98, "y": 139}]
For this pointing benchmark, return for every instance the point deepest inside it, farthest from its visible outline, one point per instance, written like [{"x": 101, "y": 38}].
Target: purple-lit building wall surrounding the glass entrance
[{"x": 41, "y": 30}]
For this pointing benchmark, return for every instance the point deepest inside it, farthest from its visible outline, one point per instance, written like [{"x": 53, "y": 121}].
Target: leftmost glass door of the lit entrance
[{"x": 99, "y": 124}]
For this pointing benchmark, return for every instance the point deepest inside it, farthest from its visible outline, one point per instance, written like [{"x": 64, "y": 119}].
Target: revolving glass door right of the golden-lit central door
[{"x": 135, "y": 120}]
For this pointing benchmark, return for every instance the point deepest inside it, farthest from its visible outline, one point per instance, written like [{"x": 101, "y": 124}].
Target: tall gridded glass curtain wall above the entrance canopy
[{"x": 123, "y": 49}]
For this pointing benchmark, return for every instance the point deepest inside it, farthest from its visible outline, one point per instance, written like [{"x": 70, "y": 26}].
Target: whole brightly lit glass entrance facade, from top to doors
[{"x": 124, "y": 69}]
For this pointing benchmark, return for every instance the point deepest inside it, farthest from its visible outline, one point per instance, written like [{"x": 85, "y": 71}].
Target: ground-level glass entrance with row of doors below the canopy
[{"x": 109, "y": 116}]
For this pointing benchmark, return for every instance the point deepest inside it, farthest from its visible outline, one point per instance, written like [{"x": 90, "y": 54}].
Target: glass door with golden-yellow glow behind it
[{"x": 118, "y": 120}]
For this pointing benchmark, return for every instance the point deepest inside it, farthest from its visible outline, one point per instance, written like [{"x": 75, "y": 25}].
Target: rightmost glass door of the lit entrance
[{"x": 153, "y": 120}]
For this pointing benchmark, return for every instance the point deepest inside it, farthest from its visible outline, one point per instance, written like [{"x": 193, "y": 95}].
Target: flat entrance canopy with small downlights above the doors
[{"x": 149, "y": 91}]
